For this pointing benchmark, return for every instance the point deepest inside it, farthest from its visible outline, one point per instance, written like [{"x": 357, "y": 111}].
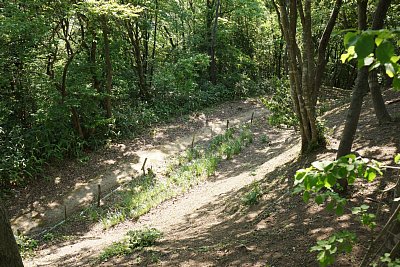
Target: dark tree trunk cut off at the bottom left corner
[{"x": 9, "y": 254}]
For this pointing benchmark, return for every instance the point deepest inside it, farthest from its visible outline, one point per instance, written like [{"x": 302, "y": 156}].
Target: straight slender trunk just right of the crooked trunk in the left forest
[{"x": 107, "y": 58}]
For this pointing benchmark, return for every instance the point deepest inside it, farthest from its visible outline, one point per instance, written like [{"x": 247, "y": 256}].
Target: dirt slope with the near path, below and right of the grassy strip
[{"x": 210, "y": 225}]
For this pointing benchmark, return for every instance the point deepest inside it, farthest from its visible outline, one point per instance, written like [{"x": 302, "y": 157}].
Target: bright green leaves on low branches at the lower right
[{"x": 319, "y": 182}]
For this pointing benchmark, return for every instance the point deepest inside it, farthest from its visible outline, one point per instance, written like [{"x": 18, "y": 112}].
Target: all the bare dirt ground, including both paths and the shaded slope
[{"x": 210, "y": 225}]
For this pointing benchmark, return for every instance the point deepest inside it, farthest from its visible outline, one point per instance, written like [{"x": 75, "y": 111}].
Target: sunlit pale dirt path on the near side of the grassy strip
[{"x": 172, "y": 215}]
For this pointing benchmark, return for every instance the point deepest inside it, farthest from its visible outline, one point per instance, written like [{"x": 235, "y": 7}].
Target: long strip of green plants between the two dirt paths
[{"x": 189, "y": 169}]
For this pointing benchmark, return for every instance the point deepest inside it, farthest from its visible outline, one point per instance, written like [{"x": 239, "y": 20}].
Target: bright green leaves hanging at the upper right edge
[{"x": 374, "y": 49}]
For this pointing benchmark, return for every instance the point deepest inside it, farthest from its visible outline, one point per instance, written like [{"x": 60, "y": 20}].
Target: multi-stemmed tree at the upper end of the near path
[{"x": 305, "y": 72}]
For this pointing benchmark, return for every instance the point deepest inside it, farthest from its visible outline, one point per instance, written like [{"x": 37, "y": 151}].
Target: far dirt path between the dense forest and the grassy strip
[{"x": 127, "y": 164}]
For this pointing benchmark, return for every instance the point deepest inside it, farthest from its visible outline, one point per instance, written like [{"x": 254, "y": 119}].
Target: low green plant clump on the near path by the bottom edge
[{"x": 134, "y": 240}]
